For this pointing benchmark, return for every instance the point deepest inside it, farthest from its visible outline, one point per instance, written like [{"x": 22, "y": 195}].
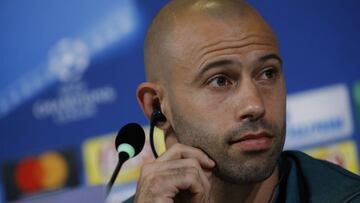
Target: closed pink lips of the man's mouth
[{"x": 252, "y": 142}]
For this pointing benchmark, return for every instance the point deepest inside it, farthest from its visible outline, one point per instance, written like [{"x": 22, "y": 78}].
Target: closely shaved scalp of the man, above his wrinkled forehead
[{"x": 180, "y": 21}]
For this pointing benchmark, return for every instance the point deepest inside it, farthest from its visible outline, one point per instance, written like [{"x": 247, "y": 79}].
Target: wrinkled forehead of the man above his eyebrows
[{"x": 197, "y": 34}]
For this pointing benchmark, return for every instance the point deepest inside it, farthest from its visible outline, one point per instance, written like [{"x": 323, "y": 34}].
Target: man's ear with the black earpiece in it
[{"x": 147, "y": 93}]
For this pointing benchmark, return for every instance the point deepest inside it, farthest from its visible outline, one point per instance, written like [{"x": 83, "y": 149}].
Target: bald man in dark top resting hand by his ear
[{"x": 214, "y": 69}]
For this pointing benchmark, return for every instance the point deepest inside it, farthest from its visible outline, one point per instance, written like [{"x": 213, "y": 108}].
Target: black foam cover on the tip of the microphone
[{"x": 131, "y": 134}]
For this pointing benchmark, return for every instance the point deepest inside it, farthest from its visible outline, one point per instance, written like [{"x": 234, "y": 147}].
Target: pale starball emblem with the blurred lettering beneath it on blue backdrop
[{"x": 75, "y": 101}]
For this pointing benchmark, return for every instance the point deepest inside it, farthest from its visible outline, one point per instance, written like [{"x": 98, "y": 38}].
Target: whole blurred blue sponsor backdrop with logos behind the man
[{"x": 69, "y": 71}]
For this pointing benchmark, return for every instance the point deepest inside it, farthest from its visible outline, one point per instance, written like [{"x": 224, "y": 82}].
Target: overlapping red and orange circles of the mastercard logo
[{"x": 49, "y": 171}]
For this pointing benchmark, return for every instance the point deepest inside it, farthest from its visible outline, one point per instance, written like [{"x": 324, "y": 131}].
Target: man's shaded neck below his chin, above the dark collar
[{"x": 260, "y": 192}]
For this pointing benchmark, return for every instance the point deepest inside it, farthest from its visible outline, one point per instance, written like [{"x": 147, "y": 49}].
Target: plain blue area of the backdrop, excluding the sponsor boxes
[{"x": 69, "y": 69}]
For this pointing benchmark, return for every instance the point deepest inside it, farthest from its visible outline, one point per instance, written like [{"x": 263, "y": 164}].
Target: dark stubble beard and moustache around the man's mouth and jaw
[{"x": 256, "y": 166}]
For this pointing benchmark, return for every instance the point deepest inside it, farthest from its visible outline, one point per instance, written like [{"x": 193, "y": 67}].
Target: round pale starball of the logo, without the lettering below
[{"x": 69, "y": 59}]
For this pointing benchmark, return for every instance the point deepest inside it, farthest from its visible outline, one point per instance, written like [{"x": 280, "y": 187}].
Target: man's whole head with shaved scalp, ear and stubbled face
[{"x": 214, "y": 68}]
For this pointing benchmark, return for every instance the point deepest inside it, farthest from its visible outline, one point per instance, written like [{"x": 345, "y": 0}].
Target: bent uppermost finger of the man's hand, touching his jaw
[{"x": 180, "y": 151}]
